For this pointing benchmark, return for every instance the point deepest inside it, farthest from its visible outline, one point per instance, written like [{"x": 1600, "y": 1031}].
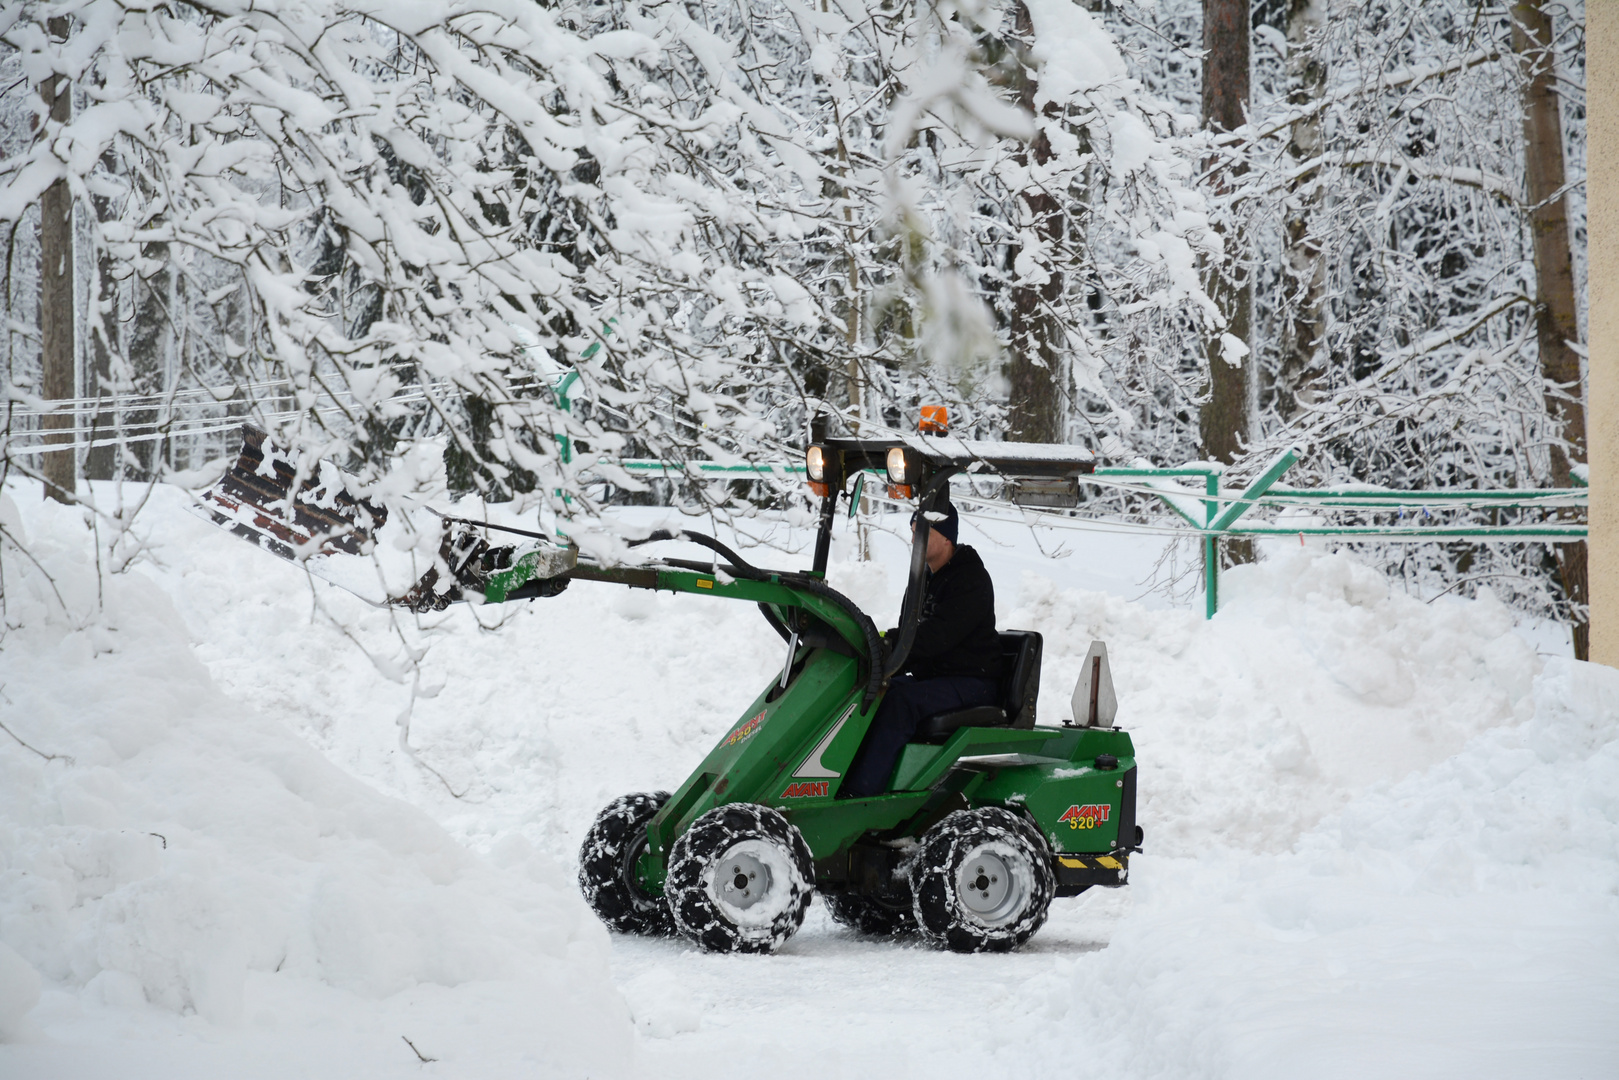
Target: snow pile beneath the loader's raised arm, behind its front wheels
[{"x": 533, "y": 726}]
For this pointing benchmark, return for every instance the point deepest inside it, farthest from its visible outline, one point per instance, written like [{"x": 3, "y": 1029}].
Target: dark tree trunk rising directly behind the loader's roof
[{"x": 1035, "y": 412}]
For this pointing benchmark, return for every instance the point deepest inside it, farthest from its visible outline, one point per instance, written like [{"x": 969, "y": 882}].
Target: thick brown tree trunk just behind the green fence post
[{"x": 1225, "y": 420}]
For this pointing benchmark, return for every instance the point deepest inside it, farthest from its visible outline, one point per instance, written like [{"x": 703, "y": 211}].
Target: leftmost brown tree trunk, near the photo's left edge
[{"x": 56, "y": 297}]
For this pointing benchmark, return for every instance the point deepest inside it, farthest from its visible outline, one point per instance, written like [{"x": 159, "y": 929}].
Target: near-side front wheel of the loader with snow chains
[{"x": 741, "y": 880}]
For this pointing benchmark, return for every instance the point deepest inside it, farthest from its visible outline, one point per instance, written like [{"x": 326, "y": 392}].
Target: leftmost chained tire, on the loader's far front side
[{"x": 608, "y": 867}]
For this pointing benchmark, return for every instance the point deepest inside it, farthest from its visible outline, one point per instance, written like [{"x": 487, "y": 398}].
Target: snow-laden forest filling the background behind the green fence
[{"x": 1168, "y": 231}]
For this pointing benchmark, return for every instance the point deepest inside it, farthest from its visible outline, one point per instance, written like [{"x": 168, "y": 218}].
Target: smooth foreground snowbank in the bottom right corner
[{"x": 1461, "y": 922}]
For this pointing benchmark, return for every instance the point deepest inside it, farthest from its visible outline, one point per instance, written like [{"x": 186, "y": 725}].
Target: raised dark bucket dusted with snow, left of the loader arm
[{"x": 257, "y": 501}]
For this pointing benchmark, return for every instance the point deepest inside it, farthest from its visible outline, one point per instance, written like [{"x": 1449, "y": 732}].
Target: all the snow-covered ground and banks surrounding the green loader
[{"x": 1382, "y": 835}]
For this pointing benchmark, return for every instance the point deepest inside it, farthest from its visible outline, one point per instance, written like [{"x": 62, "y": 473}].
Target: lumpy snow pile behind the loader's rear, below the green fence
[{"x": 1314, "y": 681}]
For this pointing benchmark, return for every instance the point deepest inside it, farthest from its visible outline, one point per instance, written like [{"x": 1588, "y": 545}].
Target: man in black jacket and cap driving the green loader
[{"x": 954, "y": 661}]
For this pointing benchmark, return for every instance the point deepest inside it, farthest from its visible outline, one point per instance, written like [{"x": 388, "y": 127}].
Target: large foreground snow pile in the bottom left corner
[{"x": 168, "y": 848}]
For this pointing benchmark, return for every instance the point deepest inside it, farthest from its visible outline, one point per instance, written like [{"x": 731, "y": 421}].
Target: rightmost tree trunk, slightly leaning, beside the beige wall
[{"x": 1555, "y": 315}]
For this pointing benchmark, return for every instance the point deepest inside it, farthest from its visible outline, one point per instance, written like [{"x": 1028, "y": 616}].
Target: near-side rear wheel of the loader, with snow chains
[{"x": 982, "y": 882}]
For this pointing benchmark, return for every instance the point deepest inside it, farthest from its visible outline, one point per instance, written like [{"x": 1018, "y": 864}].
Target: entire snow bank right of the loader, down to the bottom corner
[{"x": 1383, "y": 836}]
